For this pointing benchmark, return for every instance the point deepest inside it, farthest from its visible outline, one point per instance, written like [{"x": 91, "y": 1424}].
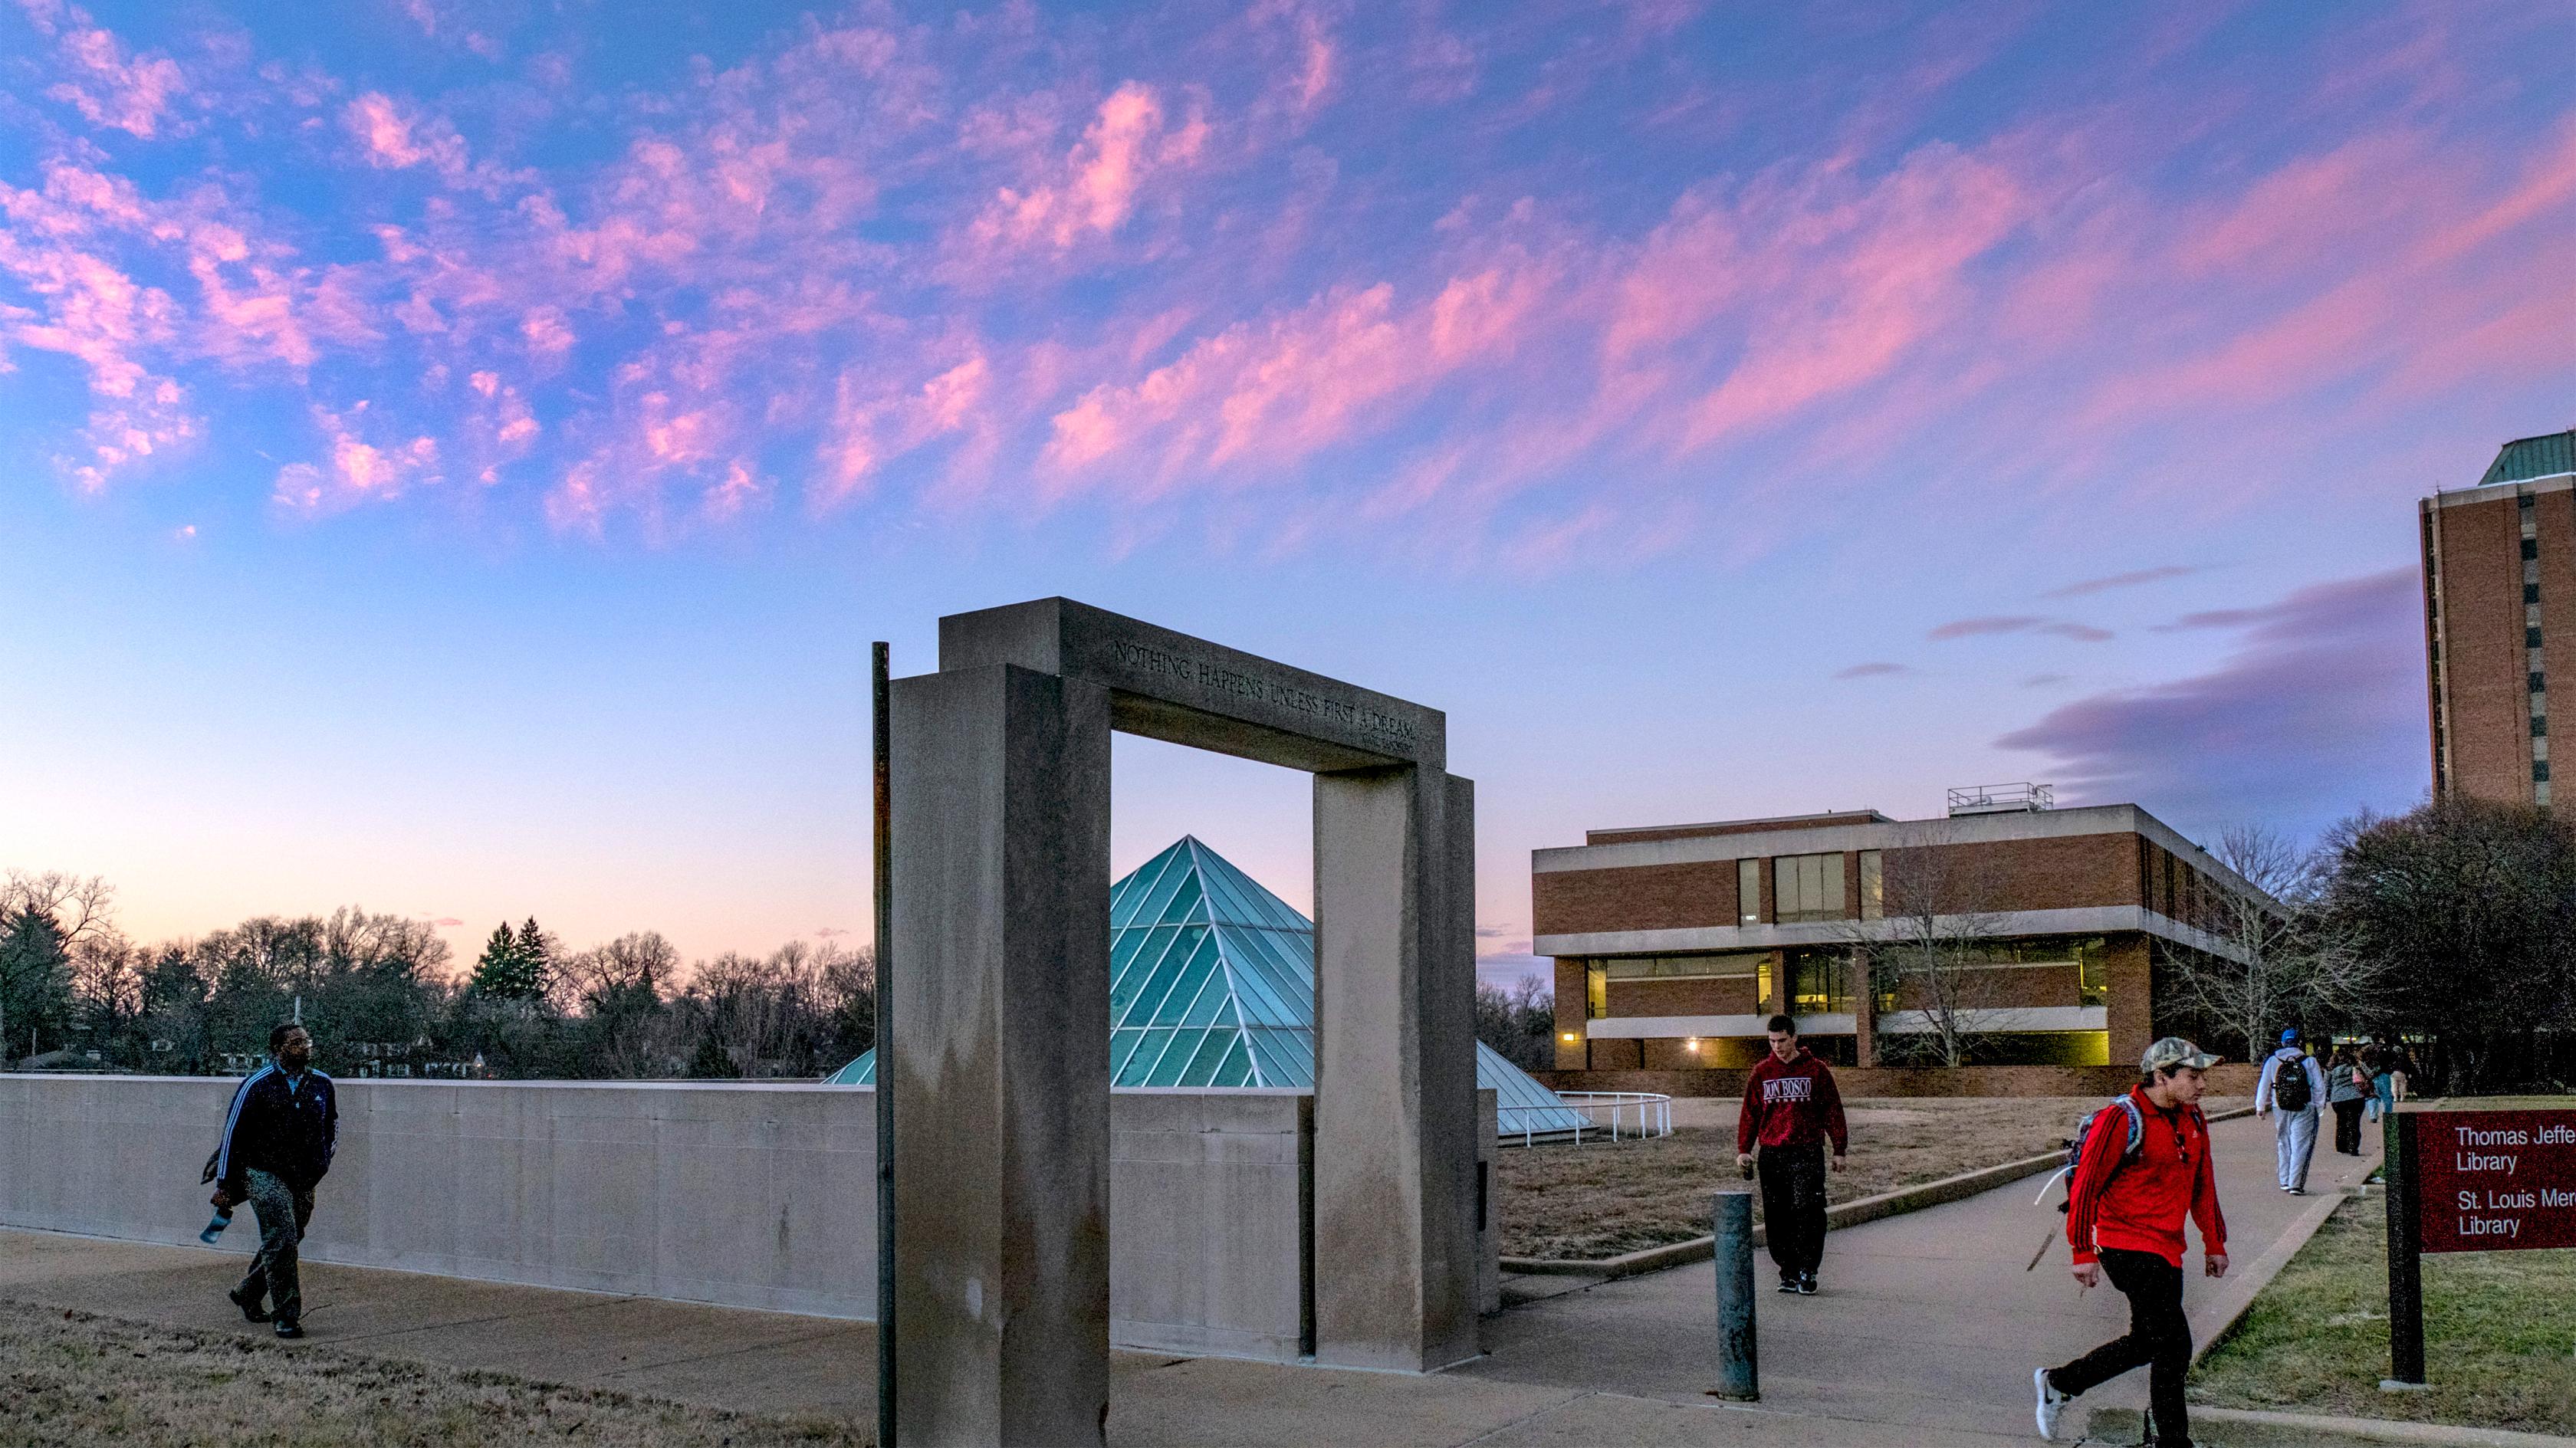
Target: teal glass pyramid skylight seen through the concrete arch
[{"x": 1212, "y": 986}]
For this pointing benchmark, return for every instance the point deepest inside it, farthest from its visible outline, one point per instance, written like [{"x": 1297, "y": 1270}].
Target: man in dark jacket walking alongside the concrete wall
[{"x": 277, "y": 1148}]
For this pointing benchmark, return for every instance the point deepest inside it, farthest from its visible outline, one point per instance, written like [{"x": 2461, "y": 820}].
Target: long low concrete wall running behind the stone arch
[{"x": 728, "y": 1194}]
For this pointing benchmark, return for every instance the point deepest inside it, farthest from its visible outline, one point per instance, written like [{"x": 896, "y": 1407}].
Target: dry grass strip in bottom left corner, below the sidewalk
[{"x": 71, "y": 1380}]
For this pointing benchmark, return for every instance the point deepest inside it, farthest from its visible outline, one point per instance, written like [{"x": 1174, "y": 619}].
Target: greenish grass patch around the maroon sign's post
[{"x": 2500, "y": 1341}]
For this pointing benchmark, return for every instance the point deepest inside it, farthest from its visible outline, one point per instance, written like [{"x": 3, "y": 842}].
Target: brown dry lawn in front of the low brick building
[{"x": 1614, "y": 1197}]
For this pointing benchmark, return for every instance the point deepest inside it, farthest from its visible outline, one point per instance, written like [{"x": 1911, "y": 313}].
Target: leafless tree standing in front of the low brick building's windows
[{"x": 1931, "y": 952}]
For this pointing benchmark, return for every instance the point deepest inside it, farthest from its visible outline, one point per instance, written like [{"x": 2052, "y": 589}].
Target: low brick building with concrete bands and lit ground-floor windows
[{"x": 2005, "y": 934}]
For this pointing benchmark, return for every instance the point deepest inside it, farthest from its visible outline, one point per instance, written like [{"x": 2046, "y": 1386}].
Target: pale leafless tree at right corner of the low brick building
[{"x": 2273, "y": 967}]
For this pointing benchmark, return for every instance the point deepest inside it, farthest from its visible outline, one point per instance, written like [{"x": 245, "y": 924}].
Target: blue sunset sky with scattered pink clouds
[{"x": 457, "y": 455}]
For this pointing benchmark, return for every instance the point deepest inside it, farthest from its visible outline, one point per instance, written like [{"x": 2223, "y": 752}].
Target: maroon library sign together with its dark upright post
[{"x": 2469, "y": 1181}]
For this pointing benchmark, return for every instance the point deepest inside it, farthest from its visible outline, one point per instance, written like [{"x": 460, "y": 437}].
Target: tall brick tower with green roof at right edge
[{"x": 2500, "y": 625}]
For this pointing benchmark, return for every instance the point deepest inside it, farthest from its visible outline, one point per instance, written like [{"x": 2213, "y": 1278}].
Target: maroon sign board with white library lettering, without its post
[{"x": 2492, "y": 1181}]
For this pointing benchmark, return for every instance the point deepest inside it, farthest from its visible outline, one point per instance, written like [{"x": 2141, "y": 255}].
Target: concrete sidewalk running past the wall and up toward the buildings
[{"x": 1926, "y": 1336}]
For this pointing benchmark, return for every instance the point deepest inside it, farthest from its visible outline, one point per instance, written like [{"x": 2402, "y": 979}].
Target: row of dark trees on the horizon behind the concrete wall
[{"x": 383, "y": 996}]
